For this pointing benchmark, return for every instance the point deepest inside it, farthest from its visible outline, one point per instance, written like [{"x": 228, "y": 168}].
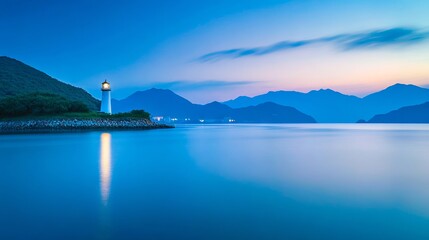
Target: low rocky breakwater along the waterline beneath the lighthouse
[{"x": 13, "y": 126}]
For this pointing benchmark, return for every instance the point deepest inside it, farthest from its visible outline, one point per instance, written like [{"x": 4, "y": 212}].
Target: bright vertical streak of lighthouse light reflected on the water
[{"x": 105, "y": 166}]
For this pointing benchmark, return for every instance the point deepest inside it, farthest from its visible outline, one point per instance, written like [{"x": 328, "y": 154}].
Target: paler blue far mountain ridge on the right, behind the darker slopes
[{"x": 329, "y": 106}]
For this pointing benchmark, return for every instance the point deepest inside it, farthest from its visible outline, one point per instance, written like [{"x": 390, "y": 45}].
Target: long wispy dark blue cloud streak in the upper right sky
[{"x": 350, "y": 41}]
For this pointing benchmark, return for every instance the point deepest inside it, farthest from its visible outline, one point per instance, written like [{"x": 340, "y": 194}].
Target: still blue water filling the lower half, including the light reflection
[{"x": 218, "y": 182}]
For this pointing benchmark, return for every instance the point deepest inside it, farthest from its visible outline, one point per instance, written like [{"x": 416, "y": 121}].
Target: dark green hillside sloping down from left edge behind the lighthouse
[{"x": 17, "y": 78}]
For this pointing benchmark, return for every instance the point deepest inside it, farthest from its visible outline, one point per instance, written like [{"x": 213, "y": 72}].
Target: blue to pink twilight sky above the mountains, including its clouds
[{"x": 351, "y": 46}]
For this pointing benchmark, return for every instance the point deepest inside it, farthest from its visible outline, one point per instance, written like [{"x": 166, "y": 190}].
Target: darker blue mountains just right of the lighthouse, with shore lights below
[{"x": 165, "y": 103}]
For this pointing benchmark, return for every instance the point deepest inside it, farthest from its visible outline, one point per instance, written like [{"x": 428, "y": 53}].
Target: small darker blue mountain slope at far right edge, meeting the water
[{"x": 411, "y": 114}]
